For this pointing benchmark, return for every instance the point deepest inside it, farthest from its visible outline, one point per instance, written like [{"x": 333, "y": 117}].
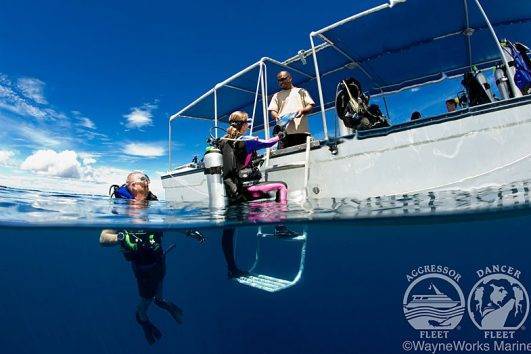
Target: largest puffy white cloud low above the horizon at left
[{"x": 51, "y": 163}]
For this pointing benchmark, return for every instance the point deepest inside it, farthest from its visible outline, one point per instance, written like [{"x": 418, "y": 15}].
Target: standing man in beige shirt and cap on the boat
[{"x": 291, "y": 104}]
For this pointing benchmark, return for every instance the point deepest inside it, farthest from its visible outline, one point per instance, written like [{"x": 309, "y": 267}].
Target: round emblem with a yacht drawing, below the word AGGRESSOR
[{"x": 434, "y": 302}]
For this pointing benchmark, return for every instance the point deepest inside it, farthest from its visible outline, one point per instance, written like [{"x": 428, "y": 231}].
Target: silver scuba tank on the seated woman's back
[{"x": 214, "y": 176}]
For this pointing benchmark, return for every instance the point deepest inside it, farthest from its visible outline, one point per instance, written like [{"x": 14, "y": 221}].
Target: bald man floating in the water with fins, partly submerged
[{"x": 143, "y": 248}]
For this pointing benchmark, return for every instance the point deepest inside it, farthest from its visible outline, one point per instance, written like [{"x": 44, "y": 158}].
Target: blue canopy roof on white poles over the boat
[{"x": 393, "y": 46}]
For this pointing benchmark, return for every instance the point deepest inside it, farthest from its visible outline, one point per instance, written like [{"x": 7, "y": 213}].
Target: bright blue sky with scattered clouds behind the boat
[{"x": 86, "y": 88}]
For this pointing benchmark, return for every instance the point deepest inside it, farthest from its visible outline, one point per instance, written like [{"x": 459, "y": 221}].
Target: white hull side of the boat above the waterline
[{"x": 487, "y": 147}]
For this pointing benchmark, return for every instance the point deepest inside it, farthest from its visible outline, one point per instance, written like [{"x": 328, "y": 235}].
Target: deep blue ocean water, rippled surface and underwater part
[{"x": 392, "y": 274}]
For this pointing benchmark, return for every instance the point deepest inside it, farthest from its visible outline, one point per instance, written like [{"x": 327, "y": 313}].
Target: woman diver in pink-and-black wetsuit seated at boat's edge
[{"x": 240, "y": 177}]
